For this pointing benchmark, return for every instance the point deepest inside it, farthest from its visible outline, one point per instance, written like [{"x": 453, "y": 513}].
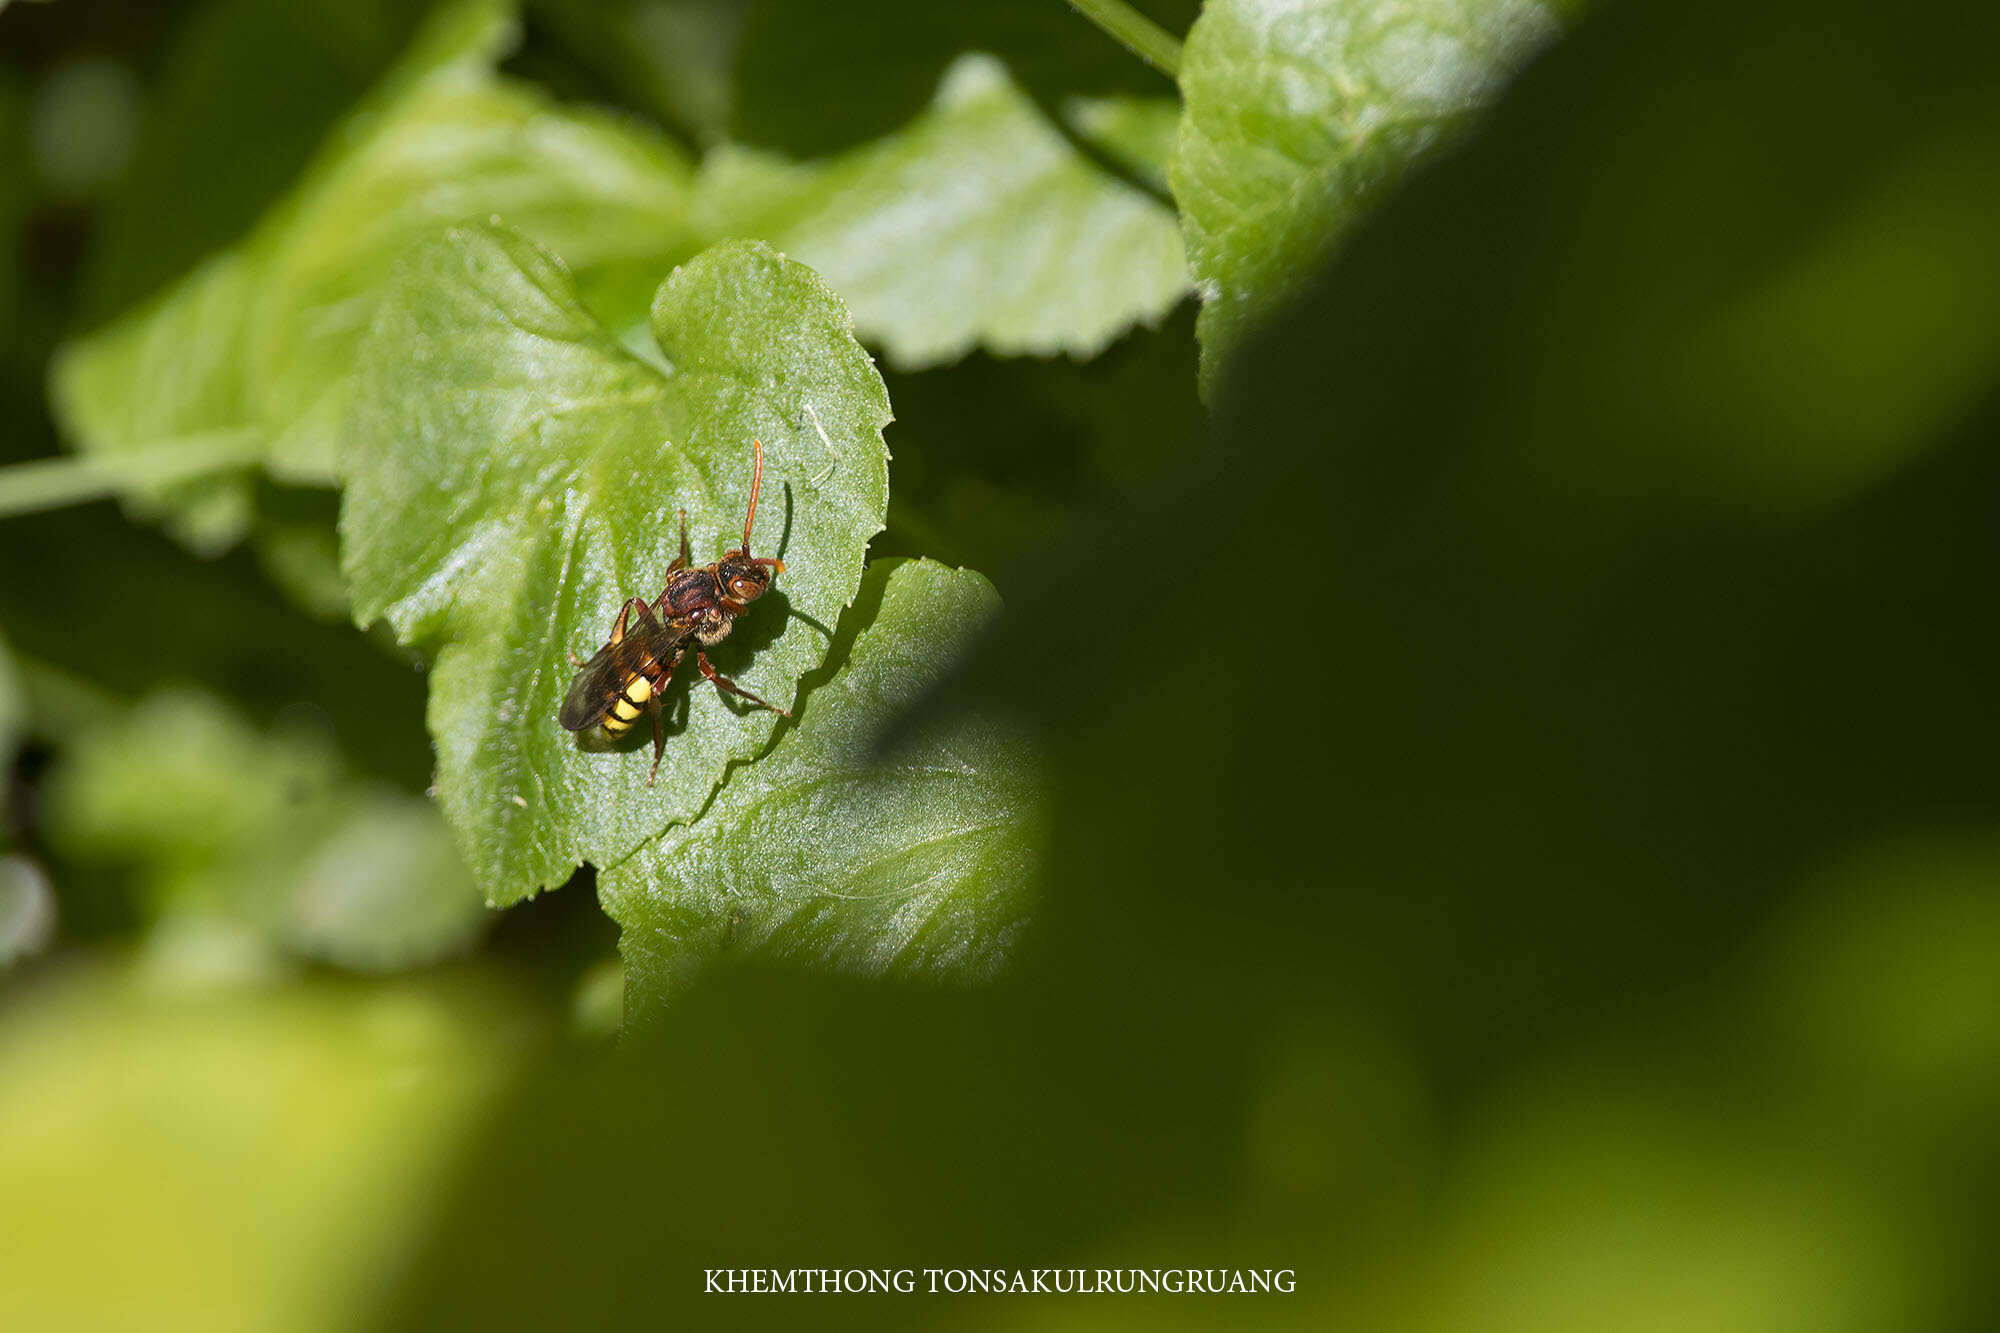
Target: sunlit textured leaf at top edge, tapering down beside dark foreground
[{"x": 1301, "y": 113}]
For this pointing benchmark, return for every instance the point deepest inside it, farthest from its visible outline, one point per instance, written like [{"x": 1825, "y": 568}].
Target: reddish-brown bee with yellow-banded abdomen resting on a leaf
[{"x": 697, "y": 609}]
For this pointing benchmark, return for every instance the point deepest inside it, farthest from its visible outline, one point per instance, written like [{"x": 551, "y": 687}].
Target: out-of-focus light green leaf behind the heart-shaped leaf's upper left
[{"x": 261, "y": 339}]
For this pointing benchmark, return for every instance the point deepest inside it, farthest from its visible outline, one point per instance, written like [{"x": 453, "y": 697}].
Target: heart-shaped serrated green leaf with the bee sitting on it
[{"x": 515, "y": 477}]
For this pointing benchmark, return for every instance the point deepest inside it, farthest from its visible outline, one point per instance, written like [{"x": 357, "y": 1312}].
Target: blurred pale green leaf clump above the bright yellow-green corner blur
[{"x": 219, "y": 820}]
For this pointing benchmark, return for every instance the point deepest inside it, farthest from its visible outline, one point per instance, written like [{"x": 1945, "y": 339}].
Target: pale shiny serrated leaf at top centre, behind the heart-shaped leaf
[{"x": 977, "y": 225}]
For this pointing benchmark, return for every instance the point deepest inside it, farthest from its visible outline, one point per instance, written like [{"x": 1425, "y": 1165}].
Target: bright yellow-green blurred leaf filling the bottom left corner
[{"x": 255, "y": 1158}]
